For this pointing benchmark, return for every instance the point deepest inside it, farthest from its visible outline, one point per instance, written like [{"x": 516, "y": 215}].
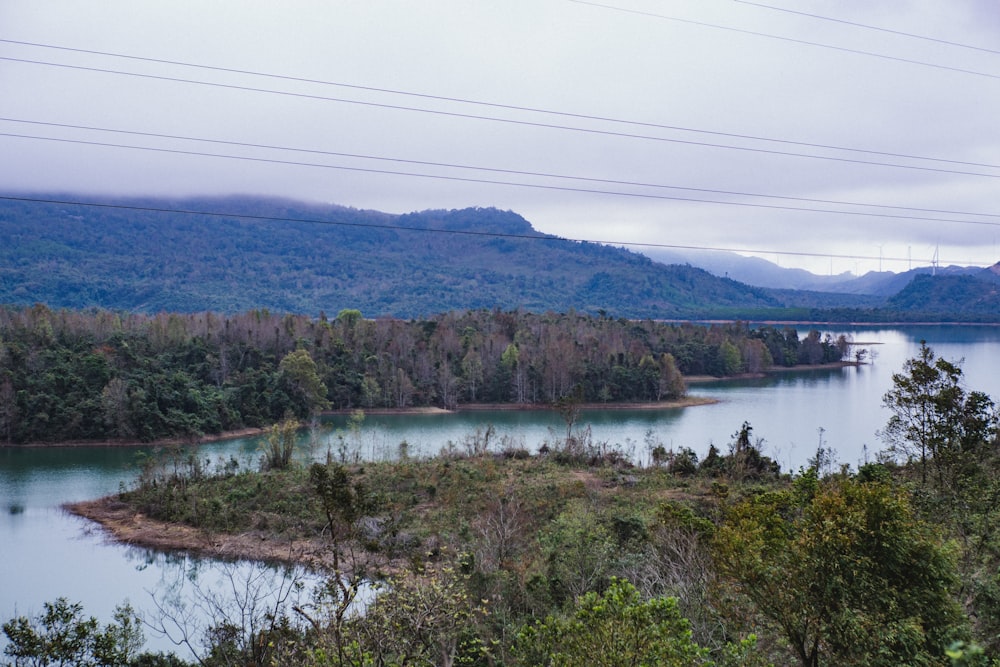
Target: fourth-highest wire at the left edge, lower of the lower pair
[{"x": 485, "y": 181}]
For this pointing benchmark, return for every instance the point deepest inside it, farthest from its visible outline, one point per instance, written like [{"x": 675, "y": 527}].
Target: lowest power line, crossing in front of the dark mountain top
[{"x": 537, "y": 237}]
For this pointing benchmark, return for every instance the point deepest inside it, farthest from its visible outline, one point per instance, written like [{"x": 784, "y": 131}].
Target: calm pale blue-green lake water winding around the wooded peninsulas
[{"x": 45, "y": 553}]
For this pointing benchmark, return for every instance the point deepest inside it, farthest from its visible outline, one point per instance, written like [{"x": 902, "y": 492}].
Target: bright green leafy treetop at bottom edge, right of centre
[{"x": 614, "y": 629}]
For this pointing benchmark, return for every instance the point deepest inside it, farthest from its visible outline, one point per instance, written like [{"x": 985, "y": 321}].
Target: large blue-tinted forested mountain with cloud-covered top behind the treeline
[{"x": 146, "y": 255}]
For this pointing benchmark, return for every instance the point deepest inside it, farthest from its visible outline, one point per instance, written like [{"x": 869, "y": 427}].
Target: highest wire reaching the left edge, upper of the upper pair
[{"x": 509, "y": 107}]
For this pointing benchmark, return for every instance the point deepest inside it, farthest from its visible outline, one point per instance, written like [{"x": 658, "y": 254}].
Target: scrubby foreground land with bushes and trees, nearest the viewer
[{"x": 490, "y": 555}]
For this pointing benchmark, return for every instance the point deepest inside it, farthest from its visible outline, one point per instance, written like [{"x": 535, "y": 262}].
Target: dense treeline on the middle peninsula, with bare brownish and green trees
[{"x": 95, "y": 375}]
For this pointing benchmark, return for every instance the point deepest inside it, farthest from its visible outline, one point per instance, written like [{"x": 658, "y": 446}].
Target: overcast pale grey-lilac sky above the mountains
[{"x": 844, "y": 136}]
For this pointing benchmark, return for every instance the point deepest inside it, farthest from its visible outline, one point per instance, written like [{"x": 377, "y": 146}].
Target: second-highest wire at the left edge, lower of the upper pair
[{"x": 509, "y": 121}]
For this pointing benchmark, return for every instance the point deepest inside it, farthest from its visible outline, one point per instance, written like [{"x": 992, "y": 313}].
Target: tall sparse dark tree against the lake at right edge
[{"x": 934, "y": 418}]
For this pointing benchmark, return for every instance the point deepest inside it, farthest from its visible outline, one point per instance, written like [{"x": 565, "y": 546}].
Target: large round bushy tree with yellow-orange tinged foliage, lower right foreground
[{"x": 847, "y": 573}]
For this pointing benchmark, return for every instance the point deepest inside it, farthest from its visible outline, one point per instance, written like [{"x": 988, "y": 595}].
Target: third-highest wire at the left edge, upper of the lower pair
[{"x": 517, "y": 172}]
